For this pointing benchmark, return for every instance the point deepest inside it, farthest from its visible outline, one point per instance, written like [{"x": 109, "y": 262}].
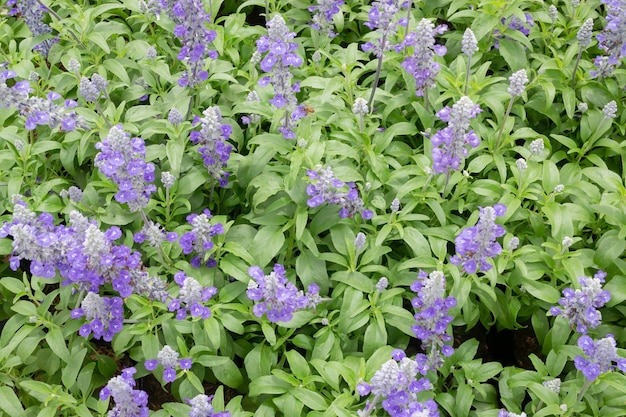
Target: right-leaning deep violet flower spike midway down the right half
[{"x": 474, "y": 245}]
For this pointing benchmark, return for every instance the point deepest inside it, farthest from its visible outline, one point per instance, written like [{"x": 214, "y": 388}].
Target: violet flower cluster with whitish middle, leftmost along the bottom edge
[{"x": 129, "y": 402}]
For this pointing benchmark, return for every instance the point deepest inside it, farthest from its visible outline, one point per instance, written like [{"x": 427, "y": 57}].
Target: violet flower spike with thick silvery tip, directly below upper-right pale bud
[{"x": 450, "y": 144}]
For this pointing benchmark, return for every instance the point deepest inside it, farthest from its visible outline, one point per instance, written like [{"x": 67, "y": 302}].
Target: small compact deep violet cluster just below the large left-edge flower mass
[{"x": 104, "y": 315}]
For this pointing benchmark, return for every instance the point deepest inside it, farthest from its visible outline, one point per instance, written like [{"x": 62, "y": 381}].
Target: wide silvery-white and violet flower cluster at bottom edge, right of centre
[{"x": 396, "y": 386}]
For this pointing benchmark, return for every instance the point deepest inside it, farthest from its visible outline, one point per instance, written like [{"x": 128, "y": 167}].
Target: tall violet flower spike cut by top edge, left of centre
[{"x": 191, "y": 19}]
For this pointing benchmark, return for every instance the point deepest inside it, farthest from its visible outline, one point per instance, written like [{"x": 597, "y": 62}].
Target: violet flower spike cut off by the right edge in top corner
[{"x": 612, "y": 39}]
